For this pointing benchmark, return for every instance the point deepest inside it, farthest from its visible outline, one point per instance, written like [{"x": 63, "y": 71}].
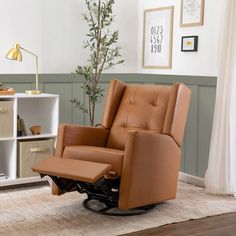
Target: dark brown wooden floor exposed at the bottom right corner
[{"x": 222, "y": 225}]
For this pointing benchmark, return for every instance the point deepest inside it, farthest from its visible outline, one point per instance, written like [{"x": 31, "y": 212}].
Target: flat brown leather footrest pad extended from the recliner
[{"x": 84, "y": 171}]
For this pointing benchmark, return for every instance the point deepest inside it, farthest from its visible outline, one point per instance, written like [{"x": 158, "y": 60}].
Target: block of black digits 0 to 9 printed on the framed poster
[{"x": 156, "y": 39}]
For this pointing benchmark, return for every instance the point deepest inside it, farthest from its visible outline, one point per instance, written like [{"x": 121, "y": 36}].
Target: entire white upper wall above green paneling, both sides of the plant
[{"x": 55, "y": 30}]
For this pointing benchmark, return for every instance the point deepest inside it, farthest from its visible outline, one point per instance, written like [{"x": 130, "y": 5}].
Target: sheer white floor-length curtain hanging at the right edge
[{"x": 220, "y": 177}]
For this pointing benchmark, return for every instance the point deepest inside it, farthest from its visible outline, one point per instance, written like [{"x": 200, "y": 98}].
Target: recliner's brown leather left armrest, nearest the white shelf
[{"x": 79, "y": 135}]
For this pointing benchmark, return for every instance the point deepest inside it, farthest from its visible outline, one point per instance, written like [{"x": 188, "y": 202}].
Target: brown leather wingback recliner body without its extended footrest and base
[{"x": 141, "y": 136}]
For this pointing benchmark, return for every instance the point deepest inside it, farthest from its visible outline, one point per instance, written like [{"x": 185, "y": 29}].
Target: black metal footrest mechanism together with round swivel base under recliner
[{"x": 103, "y": 196}]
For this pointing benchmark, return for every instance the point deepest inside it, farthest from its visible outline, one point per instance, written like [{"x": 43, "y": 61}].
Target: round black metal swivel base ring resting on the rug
[{"x": 102, "y": 208}]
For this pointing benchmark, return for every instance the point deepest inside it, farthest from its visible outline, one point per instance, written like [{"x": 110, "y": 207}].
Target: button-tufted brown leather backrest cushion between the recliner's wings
[{"x": 141, "y": 108}]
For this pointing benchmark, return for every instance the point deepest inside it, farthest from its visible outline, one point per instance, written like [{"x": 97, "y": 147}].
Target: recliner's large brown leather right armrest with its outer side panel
[{"x": 150, "y": 169}]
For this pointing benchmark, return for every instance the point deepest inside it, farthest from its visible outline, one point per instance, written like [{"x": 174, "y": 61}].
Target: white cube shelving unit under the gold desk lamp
[{"x": 40, "y": 110}]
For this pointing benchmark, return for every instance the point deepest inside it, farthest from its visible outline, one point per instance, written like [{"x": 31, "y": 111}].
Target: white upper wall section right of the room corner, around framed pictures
[{"x": 203, "y": 62}]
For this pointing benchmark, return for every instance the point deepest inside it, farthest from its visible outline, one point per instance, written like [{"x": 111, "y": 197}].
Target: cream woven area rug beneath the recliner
[{"x": 34, "y": 211}]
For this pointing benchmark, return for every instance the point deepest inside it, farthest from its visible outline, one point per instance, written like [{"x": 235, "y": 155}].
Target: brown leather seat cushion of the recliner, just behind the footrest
[{"x": 96, "y": 154}]
